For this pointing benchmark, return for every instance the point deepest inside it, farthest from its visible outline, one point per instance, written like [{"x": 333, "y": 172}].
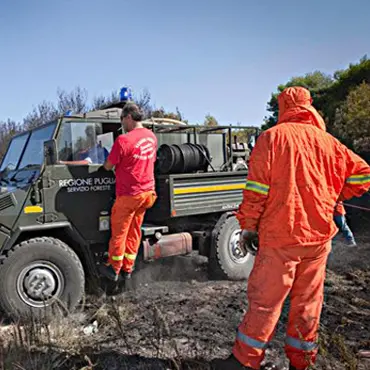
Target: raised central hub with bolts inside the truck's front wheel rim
[{"x": 40, "y": 283}]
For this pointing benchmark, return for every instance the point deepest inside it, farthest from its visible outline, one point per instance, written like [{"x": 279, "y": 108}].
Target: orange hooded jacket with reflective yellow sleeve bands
[{"x": 297, "y": 174}]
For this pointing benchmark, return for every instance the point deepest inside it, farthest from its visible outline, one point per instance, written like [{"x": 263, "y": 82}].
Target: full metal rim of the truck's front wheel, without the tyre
[{"x": 40, "y": 283}]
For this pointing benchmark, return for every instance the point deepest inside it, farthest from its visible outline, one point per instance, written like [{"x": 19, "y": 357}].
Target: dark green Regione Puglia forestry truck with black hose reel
[{"x": 55, "y": 209}]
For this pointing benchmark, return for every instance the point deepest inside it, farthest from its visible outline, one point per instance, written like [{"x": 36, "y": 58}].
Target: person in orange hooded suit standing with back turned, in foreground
[{"x": 297, "y": 174}]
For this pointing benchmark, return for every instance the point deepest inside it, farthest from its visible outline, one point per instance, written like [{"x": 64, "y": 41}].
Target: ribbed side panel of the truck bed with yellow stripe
[{"x": 206, "y": 195}]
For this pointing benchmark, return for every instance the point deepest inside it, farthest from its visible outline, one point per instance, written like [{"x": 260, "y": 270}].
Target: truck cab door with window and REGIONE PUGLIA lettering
[{"x": 77, "y": 189}]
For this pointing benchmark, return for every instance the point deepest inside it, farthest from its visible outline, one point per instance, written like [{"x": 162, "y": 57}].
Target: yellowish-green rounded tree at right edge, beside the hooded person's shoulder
[{"x": 352, "y": 121}]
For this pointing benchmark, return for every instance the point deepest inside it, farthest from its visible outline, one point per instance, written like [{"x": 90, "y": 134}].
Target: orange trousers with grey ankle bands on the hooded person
[{"x": 300, "y": 272}]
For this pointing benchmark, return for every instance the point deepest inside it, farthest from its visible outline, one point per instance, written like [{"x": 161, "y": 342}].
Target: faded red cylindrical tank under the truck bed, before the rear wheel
[{"x": 167, "y": 246}]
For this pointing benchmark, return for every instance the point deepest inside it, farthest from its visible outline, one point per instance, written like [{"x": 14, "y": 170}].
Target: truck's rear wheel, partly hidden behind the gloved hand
[{"x": 226, "y": 261}]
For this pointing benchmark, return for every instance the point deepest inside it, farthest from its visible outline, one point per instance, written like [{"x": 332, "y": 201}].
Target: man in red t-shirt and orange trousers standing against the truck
[{"x": 133, "y": 156}]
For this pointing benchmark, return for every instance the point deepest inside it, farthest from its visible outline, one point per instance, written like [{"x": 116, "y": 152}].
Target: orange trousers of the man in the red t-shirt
[{"x": 126, "y": 220}]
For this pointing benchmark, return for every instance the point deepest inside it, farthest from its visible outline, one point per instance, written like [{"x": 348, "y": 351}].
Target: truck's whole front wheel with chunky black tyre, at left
[{"x": 40, "y": 277}]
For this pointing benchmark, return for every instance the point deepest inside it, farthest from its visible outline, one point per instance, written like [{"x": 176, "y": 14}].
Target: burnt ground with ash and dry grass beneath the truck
[{"x": 175, "y": 313}]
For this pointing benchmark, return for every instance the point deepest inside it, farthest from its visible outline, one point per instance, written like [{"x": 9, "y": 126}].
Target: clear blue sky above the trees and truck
[{"x": 204, "y": 56}]
